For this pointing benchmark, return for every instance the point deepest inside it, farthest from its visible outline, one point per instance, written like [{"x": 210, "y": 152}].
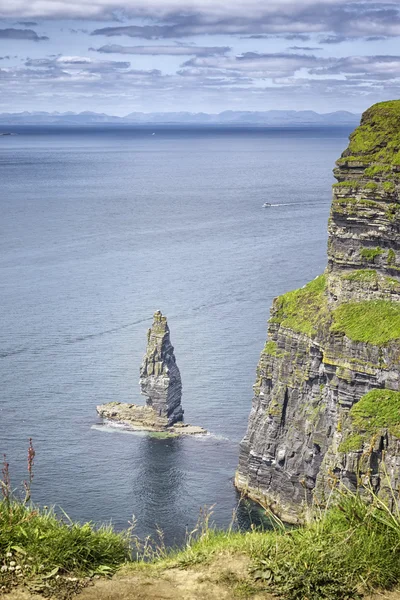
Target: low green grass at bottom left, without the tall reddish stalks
[{"x": 43, "y": 545}]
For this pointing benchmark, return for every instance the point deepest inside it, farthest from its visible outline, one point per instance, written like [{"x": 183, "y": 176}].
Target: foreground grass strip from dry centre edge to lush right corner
[{"x": 346, "y": 550}]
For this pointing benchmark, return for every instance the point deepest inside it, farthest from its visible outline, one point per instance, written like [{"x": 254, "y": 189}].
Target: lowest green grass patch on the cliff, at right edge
[{"x": 377, "y": 411}]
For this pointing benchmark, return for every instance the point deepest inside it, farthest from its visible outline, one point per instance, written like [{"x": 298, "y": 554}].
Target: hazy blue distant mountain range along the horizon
[{"x": 271, "y": 118}]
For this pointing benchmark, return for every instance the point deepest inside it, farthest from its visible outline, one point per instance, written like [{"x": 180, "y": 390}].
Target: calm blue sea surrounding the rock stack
[{"x": 98, "y": 229}]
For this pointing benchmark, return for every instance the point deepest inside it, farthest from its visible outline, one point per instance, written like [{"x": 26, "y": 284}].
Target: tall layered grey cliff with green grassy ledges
[{"x": 326, "y": 405}]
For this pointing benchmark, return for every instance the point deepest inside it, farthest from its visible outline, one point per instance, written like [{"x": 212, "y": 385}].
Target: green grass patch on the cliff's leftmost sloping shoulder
[{"x": 301, "y": 310}]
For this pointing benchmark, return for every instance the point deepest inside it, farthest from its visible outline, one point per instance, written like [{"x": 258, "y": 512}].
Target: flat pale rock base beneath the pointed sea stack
[{"x": 144, "y": 418}]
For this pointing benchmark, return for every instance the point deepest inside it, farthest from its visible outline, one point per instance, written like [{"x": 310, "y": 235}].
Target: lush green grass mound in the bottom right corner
[{"x": 349, "y": 548}]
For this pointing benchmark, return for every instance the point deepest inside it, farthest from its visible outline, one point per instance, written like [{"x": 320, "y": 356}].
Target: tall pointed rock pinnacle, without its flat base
[{"x": 160, "y": 379}]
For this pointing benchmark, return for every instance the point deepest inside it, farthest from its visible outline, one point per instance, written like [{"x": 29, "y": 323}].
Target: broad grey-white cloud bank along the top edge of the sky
[{"x": 166, "y": 19}]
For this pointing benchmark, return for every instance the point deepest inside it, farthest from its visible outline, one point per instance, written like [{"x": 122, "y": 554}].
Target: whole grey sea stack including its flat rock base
[{"x": 160, "y": 382}]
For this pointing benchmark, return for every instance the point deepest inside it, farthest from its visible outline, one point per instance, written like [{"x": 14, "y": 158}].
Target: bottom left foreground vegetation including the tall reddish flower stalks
[{"x": 38, "y": 547}]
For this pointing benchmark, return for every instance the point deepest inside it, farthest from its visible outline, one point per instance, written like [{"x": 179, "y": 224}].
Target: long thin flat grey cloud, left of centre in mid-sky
[{"x": 177, "y": 50}]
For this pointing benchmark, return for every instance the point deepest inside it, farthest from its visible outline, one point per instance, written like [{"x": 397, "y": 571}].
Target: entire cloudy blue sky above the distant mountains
[{"x": 123, "y": 56}]
